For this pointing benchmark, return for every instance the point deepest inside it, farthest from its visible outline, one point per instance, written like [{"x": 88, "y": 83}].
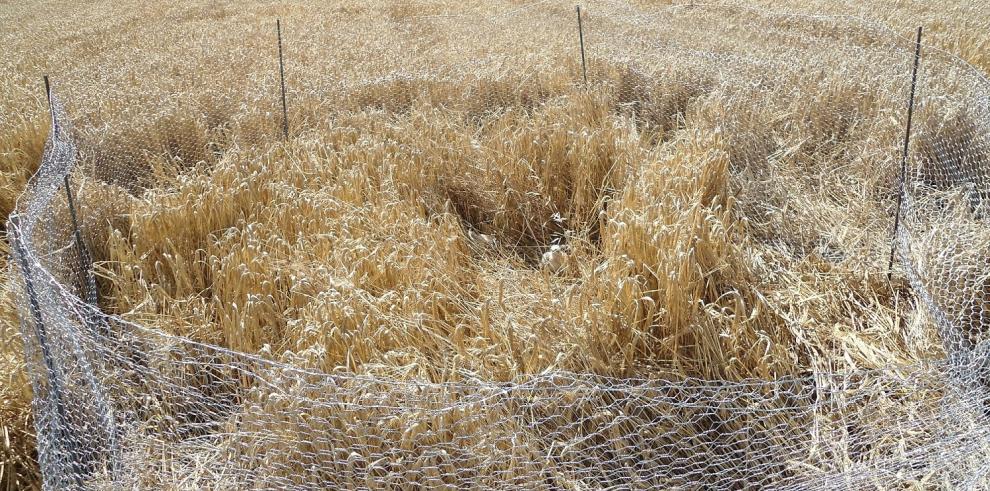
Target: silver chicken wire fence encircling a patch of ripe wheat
[{"x": 121, "y": 405}]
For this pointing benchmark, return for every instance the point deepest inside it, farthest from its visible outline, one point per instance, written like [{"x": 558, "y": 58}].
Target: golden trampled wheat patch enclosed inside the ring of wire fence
[{"x": 689, "y": 231}]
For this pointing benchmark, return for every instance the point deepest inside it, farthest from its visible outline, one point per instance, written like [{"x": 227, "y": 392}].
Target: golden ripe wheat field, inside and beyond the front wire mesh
[{"x": 482, "y": 219}]
